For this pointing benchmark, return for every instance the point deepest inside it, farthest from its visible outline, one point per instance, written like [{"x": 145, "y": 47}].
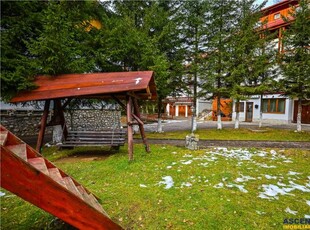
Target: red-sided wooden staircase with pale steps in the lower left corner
[{"x": 30, "y": 176}]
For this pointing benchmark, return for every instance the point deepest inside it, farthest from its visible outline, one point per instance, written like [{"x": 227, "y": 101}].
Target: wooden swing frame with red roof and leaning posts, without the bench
[{"x": 124, "y": 87}]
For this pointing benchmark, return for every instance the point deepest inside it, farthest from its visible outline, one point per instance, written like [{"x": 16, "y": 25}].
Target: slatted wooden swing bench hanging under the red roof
[{"x": 110, "y": 137}]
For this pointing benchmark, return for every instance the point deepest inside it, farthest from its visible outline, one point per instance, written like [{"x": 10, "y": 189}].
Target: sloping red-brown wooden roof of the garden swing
[{"x": 92, "y": 85}]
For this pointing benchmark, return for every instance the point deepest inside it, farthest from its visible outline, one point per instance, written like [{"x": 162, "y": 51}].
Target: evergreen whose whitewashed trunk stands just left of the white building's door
[{"x": 249, "y": 55}]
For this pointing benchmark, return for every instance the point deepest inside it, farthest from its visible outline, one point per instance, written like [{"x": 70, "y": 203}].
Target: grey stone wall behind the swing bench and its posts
[{"x": 25, "y": 123}]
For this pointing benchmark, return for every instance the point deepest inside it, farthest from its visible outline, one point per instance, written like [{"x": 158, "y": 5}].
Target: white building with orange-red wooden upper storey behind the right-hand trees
[{"x": 276, "y": 107}]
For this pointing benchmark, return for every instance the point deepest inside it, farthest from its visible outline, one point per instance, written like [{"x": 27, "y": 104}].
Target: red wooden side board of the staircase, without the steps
[{"x": 42, "y": 191}]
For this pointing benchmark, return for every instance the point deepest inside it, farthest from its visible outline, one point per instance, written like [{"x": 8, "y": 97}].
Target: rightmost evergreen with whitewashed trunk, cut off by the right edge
[{"x": 295, "y": 60}]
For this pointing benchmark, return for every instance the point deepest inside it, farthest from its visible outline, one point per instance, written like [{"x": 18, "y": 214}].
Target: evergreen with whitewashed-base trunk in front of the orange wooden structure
[{"x": 221, "y": 23}]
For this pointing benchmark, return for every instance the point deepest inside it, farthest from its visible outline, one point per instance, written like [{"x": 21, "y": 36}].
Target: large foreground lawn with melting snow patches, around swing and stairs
[{"x": 175, "y": 188}]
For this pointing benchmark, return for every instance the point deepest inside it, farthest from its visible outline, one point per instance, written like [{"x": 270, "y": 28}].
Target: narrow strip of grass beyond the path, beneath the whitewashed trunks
[{"x": 237, "y": 134}]
